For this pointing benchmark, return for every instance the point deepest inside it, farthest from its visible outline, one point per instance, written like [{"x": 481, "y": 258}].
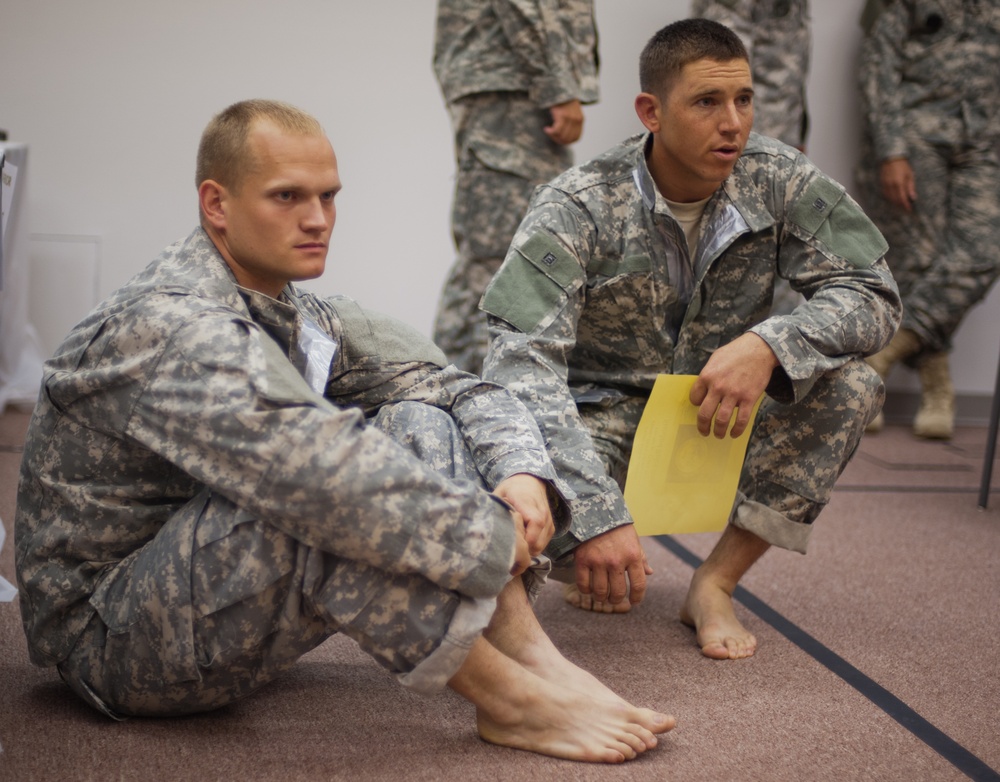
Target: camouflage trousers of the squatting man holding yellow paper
[{"x": 795, "y": 455}]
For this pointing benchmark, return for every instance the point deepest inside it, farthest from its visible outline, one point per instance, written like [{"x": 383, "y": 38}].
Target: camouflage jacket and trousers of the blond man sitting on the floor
[{"x": 192, "y": 516}]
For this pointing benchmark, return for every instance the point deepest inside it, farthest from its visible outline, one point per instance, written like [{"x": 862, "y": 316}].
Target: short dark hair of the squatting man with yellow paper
[{"x": 681, "y": 43}]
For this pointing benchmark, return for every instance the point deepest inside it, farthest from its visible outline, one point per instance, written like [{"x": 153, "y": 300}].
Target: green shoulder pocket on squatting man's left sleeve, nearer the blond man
[{"x": 532, "y": 283}]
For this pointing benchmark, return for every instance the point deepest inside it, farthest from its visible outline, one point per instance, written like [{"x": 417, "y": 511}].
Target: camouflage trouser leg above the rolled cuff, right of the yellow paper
[{"x": 798, "y": 451}]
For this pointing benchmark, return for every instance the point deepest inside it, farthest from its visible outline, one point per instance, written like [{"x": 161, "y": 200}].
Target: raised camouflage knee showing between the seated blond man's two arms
[{"x": 431, "y": 435}]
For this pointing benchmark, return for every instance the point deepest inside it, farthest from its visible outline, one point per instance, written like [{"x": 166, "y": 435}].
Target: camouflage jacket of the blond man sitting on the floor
[{"x": 183, "y": 381}]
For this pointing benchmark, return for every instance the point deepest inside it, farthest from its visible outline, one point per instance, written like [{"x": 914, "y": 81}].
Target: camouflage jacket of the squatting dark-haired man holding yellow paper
[{"x": 586, "y": 302}]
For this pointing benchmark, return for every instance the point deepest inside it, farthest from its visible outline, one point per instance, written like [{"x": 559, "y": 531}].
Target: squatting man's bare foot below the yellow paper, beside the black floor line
[{"x": 708, "y": 608}]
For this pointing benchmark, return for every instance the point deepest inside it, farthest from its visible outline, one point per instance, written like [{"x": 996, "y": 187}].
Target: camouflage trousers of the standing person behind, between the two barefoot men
[{"x": 502, "y": 155}]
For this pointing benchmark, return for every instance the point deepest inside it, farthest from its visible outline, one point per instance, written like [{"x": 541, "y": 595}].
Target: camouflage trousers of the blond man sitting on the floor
[{"x": 219, "y": 604}]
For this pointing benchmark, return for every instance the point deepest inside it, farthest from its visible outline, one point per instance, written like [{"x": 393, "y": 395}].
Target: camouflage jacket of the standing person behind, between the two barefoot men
[{"x": 547, "y": 48}]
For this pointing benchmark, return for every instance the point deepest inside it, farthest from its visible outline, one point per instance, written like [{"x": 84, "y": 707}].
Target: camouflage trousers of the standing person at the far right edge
[{"x": 945, "y": 254}]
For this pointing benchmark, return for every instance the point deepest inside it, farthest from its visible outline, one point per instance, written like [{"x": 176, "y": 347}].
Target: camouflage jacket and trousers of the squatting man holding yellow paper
[{"x": 590, "y": 305}]
